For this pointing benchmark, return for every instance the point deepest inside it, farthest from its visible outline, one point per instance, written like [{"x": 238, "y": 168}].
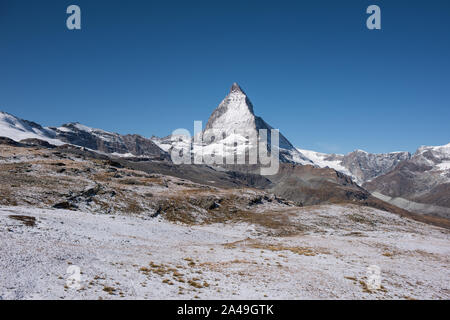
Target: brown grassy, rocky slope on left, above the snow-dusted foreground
[{"x": 69, "y": 178}]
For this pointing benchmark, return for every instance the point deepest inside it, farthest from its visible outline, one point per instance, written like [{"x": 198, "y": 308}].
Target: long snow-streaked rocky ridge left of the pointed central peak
[{"x": 80, "y": 135}]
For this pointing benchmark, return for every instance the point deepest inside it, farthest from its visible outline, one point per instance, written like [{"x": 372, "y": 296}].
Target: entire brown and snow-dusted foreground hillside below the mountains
[{"x": 140, "y": 229}]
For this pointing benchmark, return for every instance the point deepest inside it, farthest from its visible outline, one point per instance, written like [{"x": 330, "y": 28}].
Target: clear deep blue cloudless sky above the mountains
[{"x": 311, "y": 68}]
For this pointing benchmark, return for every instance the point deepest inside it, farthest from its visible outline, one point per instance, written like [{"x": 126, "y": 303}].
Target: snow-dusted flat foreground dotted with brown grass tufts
[{"x": 325, "y": 256}]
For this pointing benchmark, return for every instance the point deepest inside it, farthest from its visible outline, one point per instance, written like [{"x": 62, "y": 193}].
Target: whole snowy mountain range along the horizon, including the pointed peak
[{"x": 418, "y": 182}]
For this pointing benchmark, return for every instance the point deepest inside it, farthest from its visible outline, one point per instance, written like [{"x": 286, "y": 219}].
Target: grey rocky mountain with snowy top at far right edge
[{"x": 420, "y": 184}]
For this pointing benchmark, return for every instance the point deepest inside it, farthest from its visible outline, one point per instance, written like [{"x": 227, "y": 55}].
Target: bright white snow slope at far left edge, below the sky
[{"x": 18, "y": 129}]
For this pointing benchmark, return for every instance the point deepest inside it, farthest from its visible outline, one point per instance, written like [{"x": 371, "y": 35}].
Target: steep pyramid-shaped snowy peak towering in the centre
[{"x": 233, "y": 122}]
